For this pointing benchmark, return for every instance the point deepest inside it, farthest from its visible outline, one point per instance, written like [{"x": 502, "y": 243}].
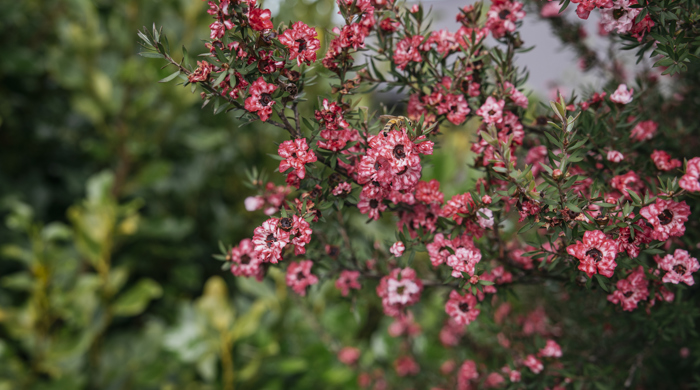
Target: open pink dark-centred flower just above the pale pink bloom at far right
[{"x": 667, "y": 217}]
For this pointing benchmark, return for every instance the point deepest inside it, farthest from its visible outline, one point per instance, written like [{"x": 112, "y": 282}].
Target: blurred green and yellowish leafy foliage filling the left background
[{"x": 114, "y": 191}]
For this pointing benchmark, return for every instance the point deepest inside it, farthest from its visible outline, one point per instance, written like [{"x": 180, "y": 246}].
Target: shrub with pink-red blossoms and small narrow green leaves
[{"x": 573, "y": 199}]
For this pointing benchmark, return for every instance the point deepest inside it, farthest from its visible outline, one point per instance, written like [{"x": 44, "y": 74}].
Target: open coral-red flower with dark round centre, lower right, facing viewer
[{"x": 596, "y": 253}]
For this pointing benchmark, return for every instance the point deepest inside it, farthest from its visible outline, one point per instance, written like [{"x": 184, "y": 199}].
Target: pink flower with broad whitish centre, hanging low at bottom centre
[{"x": 399, "y": 289}]
